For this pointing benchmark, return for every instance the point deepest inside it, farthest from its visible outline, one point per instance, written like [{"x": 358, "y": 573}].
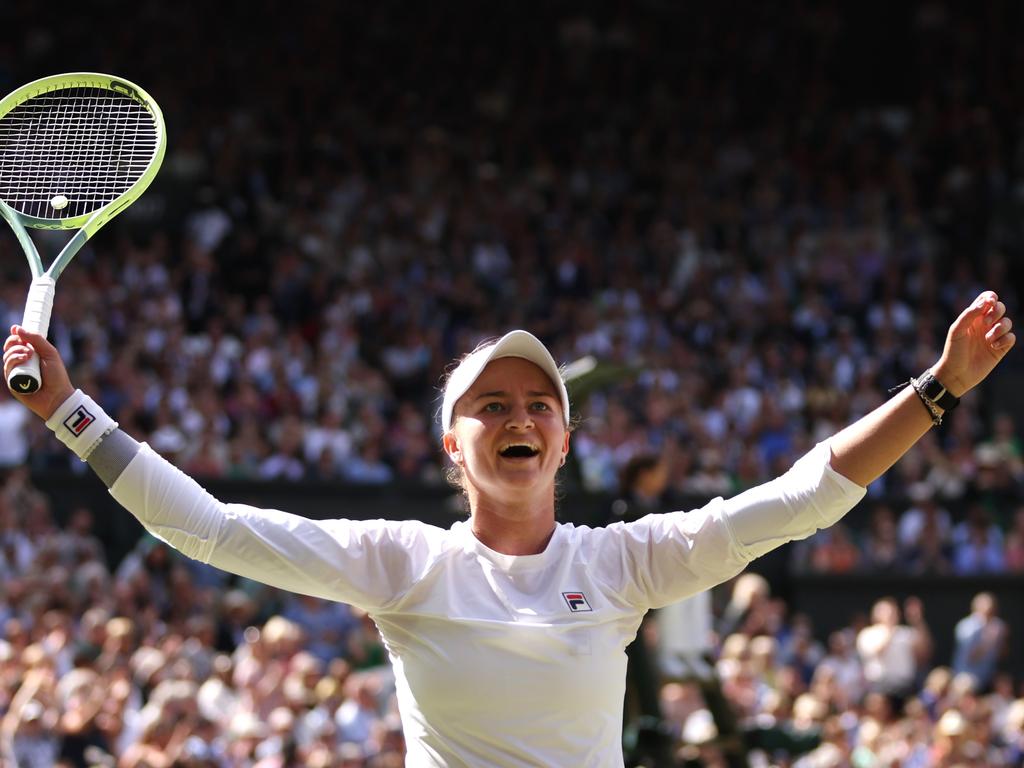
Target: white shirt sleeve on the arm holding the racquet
[{"x": 369, "y": 564}]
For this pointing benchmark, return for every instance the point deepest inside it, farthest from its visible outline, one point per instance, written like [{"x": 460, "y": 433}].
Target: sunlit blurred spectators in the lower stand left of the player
[{"x": 160, "y": 662}]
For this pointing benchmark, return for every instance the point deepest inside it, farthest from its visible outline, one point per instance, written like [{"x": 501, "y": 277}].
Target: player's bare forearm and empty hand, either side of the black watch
[{"x": 978, "y": 339}]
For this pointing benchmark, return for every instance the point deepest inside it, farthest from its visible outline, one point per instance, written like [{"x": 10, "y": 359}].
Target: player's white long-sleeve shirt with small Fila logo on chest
[{"x": 500, "y": 660}]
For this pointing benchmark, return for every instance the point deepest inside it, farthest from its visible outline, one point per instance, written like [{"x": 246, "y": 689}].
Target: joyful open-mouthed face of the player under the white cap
[{"x": 508, "y": 433}]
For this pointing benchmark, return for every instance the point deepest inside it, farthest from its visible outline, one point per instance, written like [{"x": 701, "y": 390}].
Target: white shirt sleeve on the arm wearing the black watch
[{"x": 662, "y": 559}]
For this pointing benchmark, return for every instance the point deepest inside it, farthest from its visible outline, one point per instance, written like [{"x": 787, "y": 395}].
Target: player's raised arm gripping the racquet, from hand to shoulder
[{"x": 369, "y": 564}]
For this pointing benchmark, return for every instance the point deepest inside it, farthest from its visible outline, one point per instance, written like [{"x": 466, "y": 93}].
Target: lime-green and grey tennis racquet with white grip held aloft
[{"x": 75, "y": 151}]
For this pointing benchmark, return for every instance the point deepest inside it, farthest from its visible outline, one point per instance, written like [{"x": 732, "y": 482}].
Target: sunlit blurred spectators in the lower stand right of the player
[{"x": 872, "y": 695}]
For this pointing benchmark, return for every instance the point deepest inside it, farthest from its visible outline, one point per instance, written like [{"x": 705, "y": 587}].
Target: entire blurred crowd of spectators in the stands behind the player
[{"x": 746, "y": 230}]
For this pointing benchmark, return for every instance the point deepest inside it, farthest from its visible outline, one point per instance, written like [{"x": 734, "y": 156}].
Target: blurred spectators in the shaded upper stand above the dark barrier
[{"x": 756, "y": 253}]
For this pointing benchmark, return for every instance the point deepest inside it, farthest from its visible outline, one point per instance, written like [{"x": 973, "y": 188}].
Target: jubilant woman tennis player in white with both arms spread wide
[{"x": 507, "y": 631}]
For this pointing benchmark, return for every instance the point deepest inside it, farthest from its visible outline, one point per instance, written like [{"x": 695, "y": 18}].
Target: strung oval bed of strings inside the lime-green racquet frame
[{"x": 87, "y": 144}]
